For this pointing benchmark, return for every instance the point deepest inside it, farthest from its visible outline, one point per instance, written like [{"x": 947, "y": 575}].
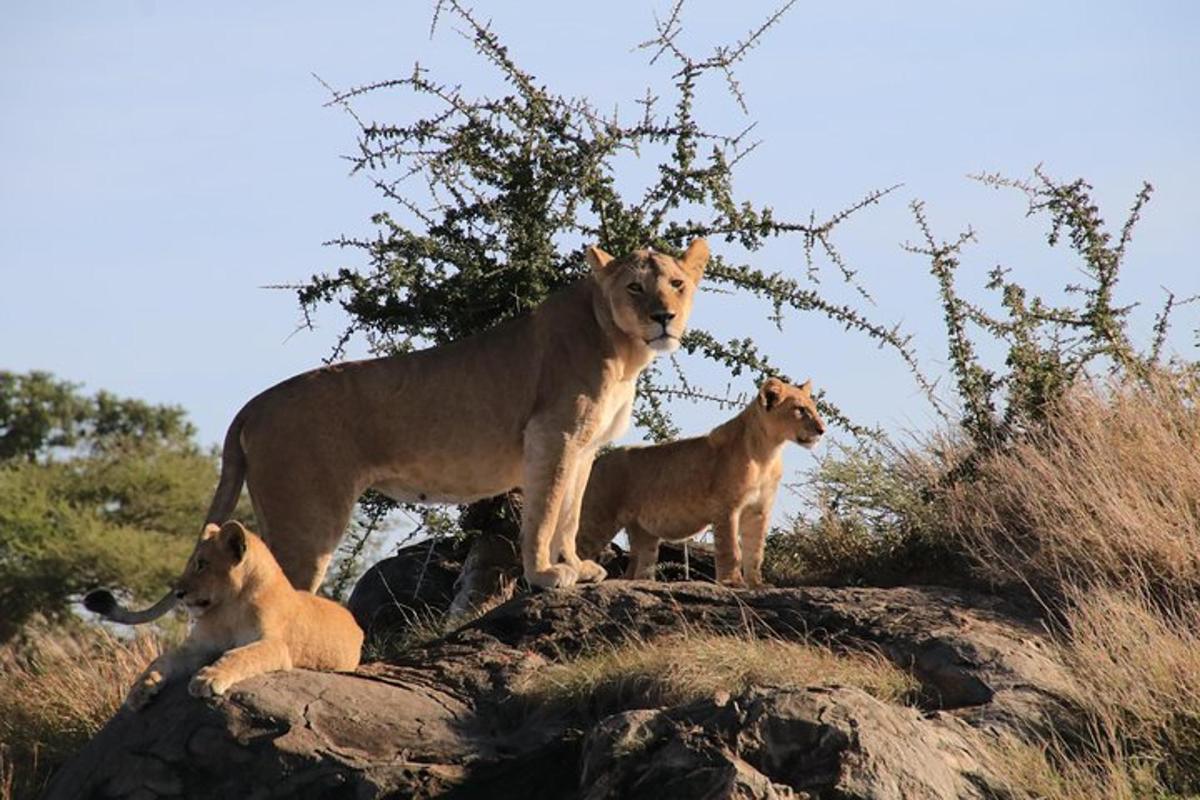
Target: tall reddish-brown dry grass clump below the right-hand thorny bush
[{"x": 1108, "y": 492}]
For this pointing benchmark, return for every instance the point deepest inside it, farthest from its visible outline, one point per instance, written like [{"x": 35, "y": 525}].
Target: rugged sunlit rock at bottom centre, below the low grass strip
[{"x": 785, "y": 744}]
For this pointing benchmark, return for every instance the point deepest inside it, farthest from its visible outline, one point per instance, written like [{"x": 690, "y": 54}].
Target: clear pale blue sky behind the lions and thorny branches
[{"x": 163, "y": 163}]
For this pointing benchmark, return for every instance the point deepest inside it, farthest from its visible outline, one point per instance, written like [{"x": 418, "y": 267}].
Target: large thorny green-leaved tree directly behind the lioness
[{"x": 495, "y": 199}]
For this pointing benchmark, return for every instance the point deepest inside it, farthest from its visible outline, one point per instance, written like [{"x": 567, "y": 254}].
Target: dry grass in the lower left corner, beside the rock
[{"x": 57, "y": 690}]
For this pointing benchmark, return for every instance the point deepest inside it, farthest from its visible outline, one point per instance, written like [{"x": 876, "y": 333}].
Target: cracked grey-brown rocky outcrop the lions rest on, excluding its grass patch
[{"x": 441, "y": 721}]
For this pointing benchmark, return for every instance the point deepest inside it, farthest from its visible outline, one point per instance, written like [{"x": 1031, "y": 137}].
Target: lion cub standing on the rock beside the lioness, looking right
[{"x": 727, "y": 479}]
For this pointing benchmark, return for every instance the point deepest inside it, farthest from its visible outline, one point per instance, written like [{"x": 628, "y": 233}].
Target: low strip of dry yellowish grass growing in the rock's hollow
[{"x": 691, "y": 666}]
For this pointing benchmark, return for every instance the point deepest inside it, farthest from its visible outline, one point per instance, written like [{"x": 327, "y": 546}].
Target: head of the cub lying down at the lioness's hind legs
[{"x": 217, "y": 570}]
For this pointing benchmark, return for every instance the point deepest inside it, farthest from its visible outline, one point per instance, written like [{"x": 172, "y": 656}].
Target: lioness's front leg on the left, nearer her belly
[{"x": 550, "y": 459}]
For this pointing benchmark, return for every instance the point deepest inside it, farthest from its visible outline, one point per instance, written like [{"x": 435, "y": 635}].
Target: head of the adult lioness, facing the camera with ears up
[{"x": 649, "y": 293}]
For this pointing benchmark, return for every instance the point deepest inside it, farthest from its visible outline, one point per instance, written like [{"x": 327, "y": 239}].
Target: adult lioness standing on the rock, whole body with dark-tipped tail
[{"x": 526, "y": 404}]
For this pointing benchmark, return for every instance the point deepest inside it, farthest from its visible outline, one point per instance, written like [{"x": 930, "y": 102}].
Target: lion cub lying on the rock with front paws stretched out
[{"x": 248, "y": 621}]
